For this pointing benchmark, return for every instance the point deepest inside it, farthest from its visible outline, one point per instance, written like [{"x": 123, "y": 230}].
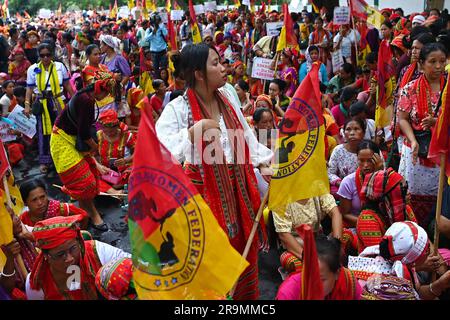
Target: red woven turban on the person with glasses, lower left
[{"x": 53, "y": 232}]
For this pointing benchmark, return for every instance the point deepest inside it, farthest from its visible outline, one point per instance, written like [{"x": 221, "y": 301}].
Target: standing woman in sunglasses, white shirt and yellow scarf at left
[{"x": 46, "y": 82}]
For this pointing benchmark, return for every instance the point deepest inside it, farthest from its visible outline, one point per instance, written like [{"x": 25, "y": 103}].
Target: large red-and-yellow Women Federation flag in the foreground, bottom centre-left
[{"x": 179, "y": 249}]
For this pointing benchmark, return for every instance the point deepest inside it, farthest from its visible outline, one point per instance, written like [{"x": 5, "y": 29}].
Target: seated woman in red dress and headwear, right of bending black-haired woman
[{"x": 115, "y": 149}]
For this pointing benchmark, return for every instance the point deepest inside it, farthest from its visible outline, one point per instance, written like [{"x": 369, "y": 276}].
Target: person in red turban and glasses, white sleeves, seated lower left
[{"x": 62, "y": 249}]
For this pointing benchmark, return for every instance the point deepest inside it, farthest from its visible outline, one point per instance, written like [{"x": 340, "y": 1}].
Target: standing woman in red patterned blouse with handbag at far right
[{"x": 417, "y": 112}]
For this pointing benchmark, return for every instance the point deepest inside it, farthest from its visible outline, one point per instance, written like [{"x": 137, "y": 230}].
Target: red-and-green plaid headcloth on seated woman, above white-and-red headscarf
[{"x": 382, "y": 189}]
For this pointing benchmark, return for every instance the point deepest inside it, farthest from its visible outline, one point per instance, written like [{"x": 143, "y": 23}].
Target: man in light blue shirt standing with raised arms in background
[{"x": 156, "y": 35}]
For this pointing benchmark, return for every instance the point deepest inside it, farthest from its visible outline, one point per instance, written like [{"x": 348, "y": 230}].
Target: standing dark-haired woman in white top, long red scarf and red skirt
[{"x": 228, "y": 187}]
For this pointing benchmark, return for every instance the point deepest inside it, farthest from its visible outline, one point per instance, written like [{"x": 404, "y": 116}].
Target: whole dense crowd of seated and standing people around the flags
[{"x": 87, "y": 80}]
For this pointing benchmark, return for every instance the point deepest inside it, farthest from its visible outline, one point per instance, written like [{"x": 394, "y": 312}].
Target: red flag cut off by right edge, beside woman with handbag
[{"x": 439, "y": 141}]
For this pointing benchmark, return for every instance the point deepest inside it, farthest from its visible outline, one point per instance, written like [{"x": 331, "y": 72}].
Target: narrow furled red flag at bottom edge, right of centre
[{"x": 312, "y": 288}]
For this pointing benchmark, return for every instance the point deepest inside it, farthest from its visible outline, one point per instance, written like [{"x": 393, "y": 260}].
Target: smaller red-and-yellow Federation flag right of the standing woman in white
[{"x": 300, "y": 170}]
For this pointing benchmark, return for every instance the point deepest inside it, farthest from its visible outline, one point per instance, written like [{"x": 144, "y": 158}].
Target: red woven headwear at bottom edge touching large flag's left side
[{"x": 114, "y": 278}]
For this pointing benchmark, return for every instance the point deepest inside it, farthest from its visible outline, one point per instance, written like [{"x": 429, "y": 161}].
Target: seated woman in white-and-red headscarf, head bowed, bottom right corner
[{"x": 402, "y": 252}]
